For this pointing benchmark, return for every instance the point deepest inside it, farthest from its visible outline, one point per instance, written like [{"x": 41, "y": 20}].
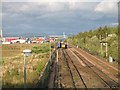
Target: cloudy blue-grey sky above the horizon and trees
[{"x": 55, "y": 17}]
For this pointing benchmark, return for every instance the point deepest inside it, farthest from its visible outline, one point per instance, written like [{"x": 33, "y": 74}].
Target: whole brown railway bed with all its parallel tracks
[{"x": 76, "y": 68}]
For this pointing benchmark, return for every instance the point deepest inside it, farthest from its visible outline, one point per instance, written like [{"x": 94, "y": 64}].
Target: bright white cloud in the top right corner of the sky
[{"x": 107, "y": 6}]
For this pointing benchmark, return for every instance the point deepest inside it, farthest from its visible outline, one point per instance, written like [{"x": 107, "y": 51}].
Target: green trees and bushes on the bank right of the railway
[{"x": 91, "y": 41}]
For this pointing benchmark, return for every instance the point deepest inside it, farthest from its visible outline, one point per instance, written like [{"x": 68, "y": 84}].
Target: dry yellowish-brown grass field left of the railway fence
[{"x": 12, "y": 69}]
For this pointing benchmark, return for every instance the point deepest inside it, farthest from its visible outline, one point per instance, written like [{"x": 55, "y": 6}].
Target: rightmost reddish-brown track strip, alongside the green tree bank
[{"x": 104, "y": 66}]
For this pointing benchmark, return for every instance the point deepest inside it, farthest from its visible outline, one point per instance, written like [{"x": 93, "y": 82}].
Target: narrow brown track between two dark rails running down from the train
[{"x": 75, "y": 74}]
